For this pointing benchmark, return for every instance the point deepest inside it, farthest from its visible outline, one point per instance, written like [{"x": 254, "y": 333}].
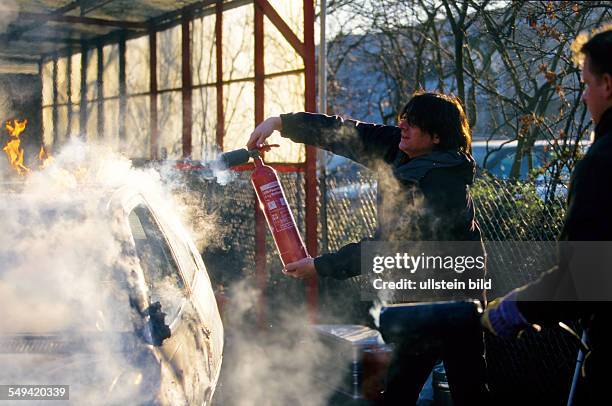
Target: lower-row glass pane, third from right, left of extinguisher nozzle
[{"x": 204, "y": 130}]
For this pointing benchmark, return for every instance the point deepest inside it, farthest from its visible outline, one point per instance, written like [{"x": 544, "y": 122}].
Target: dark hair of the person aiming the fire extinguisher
[{"x": 442, "y": 115}]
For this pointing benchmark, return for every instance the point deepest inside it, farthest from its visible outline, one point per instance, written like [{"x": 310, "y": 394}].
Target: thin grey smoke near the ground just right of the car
[{"x": 283, "y": 364}]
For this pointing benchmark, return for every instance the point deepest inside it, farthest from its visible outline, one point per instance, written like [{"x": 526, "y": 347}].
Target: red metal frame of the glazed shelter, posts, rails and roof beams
[{"x": 125, "y": 30}]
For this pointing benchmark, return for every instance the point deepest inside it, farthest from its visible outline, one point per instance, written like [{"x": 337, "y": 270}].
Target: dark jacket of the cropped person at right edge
[{"x": 553, "y": 297}]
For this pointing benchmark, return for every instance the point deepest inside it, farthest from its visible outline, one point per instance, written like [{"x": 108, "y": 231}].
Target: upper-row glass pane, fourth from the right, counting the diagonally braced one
[{"x": 169, "y": 59}]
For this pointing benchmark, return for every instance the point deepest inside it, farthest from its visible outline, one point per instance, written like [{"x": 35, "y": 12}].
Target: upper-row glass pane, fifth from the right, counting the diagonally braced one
[{"x": 137, "y": 65}]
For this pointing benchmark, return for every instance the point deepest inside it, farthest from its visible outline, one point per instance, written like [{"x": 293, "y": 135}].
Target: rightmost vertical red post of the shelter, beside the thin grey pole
[{"x": 311, "y": 155}]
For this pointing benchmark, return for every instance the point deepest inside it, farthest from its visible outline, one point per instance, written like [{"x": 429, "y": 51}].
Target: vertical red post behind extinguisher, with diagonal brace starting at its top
[{"x": 260, "y": 222}]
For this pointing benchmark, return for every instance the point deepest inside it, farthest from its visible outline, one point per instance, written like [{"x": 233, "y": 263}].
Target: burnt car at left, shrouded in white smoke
[{"x": 103, "y": 290}]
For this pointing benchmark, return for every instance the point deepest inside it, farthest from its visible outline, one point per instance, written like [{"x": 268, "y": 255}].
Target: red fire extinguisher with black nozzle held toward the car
[{"x": 273, "y": 203}]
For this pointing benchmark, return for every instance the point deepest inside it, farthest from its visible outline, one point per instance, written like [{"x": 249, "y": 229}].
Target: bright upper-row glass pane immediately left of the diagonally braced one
[{"x": 238, "y": 47}]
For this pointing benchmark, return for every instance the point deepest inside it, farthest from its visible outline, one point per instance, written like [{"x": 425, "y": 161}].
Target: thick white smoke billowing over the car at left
[{"x": 64, "y": 275}]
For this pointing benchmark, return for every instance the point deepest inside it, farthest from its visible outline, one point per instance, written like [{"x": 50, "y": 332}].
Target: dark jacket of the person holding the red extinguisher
[{"x": 420, "y": 199}]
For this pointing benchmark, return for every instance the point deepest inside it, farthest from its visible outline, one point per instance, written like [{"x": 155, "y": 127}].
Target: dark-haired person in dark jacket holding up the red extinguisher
[{"x": 424, "y": 169}]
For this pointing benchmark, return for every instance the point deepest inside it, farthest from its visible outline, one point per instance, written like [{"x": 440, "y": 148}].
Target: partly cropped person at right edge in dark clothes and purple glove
[{"x": 556, "y": 295}]
